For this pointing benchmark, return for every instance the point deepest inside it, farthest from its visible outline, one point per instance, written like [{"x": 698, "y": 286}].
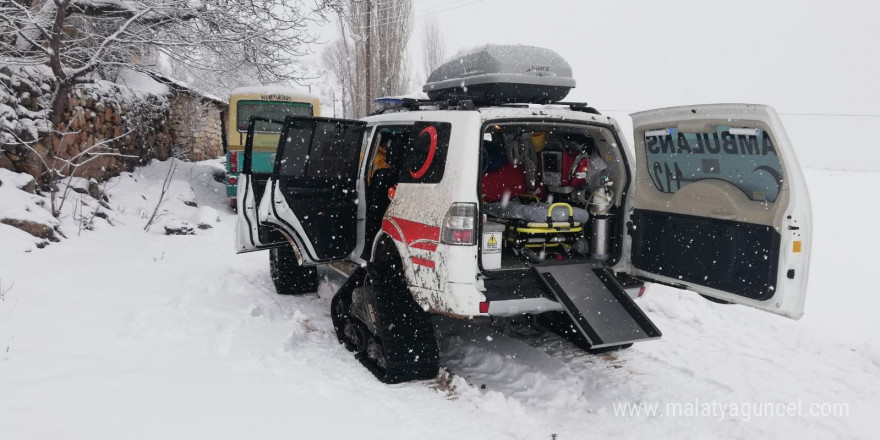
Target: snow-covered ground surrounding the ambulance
[{"x": 117, "y": 333}]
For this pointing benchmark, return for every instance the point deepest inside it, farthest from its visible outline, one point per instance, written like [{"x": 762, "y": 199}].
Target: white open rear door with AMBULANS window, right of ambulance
[{"x": 721, "y": 206}]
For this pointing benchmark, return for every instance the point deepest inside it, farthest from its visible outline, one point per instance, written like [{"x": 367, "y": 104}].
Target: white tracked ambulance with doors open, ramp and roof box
[{"x": 496, "y": 198}]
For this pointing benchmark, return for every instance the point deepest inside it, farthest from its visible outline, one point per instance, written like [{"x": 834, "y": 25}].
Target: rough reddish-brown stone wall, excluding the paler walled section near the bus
[{"x": 107, "y": 128}]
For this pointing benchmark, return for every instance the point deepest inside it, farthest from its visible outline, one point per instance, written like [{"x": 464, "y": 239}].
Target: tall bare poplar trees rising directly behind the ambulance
[{"x": 369, "y": 60}]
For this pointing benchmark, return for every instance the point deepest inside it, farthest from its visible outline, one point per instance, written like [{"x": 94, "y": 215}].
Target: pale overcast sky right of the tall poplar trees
[{"x": 802, "y": 57}]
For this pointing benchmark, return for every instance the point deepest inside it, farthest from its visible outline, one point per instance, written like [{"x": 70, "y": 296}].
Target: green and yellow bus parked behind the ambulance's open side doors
[{"x": 265, "y": 102}]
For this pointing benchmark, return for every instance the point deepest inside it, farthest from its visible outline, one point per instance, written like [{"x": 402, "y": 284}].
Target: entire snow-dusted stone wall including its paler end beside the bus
[{"x": 111, "y": 128}]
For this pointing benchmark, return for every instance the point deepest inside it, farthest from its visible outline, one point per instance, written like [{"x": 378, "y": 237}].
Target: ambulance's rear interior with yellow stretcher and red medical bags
[{"x": 549, "y": 192}]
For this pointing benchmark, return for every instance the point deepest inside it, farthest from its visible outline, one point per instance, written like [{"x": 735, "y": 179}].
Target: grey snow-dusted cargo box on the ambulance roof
[{"x": 496, "y": 74}]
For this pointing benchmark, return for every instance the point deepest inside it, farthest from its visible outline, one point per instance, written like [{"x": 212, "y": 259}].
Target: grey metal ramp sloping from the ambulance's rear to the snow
[{"x": 597, "y": 304}]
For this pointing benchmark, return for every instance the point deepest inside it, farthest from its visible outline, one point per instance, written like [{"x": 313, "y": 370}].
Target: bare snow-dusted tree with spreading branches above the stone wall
[{"x": 79, "y": 40}]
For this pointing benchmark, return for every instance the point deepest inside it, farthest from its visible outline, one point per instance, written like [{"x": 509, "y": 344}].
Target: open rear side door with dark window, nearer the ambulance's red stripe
[{"x": 314, "y": 194}]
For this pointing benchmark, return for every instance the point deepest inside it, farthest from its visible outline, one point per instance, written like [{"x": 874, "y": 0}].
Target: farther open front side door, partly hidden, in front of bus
[{"x": 250, "y": 234}]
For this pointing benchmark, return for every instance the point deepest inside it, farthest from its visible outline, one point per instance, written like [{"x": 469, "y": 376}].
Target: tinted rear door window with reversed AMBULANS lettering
[{"x": 743, "y": 157}]
